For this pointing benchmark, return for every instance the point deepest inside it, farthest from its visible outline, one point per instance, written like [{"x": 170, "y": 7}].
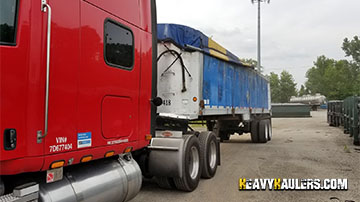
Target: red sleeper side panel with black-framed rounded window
[{"x": 109, "y": 74}]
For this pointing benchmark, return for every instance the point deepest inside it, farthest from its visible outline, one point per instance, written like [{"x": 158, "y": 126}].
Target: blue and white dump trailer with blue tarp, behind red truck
[{"x": 200, "y": 81}]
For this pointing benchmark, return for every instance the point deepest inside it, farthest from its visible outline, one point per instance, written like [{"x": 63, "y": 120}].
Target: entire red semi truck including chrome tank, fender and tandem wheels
[{"x": 78, "y": 105}]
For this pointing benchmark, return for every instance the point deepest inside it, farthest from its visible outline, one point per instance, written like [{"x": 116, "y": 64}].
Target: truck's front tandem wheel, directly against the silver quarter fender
[{"x": 192, "y": 168}]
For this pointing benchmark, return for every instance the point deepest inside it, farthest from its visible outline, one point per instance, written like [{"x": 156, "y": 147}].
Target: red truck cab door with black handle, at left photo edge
[{"x": 22, "y": 85}]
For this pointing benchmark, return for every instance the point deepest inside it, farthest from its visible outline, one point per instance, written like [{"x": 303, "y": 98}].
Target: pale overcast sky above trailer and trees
[{"x": 294, "y": 33}]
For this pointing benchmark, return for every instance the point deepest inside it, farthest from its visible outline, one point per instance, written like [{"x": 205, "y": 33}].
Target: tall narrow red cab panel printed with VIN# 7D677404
[{"x": 63, "y": 76}]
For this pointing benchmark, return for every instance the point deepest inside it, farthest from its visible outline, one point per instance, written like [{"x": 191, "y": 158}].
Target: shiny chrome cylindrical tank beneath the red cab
[{"x": 107, "y": 180}]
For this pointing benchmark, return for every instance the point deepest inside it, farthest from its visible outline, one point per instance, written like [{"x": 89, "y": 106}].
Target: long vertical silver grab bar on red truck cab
[{"x": 45, "y": 7}]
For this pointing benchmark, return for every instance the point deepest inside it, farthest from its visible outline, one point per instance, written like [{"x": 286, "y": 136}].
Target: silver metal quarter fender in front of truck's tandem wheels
[{"x": 166, "y": 157}]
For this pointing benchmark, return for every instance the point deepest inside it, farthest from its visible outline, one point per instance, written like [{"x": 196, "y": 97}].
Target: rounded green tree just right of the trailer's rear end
[{"x": 287, "y": 87}]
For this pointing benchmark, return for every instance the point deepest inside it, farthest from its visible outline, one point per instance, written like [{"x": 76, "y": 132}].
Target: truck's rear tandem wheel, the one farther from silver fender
[{"x": 208, "y": 152}]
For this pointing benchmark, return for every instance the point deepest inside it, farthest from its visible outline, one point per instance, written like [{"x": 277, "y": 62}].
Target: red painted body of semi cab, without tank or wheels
[{"x": 95, "y": 101}]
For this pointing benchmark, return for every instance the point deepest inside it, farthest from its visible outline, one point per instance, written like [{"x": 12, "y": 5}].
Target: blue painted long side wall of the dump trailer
[{"x": 230, "y": 85}]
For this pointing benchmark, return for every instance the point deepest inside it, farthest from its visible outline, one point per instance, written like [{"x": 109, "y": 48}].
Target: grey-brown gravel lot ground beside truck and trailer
[{"x": 301, "y": 148}]
